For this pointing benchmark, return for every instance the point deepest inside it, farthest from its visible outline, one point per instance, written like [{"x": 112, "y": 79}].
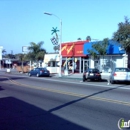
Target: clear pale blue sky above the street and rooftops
[{"x": 24, "y": 21}]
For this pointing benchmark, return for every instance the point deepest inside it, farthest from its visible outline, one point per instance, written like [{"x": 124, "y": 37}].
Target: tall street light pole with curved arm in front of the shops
[{"x": 60, "y": 56}]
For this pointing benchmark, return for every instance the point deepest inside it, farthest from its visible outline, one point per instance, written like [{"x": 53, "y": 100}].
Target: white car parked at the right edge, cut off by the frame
[{"x": 120, "y": 74}]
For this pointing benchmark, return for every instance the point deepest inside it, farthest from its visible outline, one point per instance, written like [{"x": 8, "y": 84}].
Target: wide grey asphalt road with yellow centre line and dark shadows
[{"x": 31, "y": 103}]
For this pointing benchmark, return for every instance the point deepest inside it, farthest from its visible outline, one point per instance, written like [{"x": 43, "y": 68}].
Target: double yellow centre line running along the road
[{"x": 73, "y": 94}]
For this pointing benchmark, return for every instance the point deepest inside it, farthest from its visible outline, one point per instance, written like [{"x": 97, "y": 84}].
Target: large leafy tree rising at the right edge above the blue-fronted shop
[{"x": 122, "y": 35}]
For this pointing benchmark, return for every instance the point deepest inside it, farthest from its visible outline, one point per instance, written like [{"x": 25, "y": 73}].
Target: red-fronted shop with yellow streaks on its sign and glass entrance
[{"x": 73, "y": 58}]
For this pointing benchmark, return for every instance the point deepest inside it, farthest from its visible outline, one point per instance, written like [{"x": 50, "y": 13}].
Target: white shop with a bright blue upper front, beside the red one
[{"x": 115, "y": 57}]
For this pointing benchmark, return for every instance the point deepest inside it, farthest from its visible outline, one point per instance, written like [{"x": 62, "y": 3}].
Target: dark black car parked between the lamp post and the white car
[{"x": 92, "y": 74}]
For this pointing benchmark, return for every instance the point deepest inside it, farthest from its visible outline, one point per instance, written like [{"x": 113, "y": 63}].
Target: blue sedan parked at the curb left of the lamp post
[{"x": 39, "y": 72}]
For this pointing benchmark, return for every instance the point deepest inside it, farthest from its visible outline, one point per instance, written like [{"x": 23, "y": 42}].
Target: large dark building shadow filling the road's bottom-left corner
[{"x": 18, "y": 115}]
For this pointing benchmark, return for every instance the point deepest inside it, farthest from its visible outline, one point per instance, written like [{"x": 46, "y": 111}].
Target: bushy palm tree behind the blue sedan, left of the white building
[{"x": 36, "y": 52}]
